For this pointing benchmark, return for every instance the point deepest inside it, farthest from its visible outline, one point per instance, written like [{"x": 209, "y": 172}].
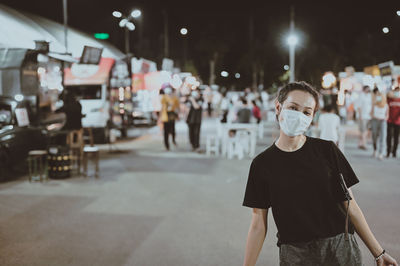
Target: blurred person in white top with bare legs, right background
[{"x": 364, "y": 107}]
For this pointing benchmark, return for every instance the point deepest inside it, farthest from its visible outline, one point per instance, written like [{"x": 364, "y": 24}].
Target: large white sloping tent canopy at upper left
[{"x": 21, "y": 30}]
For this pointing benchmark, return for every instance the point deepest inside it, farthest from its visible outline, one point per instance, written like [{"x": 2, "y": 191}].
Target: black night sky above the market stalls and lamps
[{"x": 334, "y": 34}]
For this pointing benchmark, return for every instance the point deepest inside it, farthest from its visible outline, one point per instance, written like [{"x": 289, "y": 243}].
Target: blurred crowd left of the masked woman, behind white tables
[{"x": 228, "y": 107}]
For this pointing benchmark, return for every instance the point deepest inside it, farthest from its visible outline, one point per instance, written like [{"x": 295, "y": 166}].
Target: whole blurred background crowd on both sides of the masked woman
[{"x": 377, "y": 114}]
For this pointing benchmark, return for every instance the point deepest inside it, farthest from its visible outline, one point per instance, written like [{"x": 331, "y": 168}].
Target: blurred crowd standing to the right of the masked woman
[{"x": 376, "y": 112}]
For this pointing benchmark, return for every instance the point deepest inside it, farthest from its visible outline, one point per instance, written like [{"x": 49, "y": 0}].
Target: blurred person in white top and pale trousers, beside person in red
[{"x": 379, "y": 114}]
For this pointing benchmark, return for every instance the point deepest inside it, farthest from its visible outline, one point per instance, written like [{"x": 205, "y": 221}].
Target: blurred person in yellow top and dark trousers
[{"x": 169, "y": 113}]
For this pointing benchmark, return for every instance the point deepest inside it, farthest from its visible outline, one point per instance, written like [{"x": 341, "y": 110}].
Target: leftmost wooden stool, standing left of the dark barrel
[{"x": 37, "y": 162}]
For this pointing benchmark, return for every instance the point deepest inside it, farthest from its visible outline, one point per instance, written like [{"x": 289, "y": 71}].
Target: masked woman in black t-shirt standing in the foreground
[{"x": 299, "y": 178}]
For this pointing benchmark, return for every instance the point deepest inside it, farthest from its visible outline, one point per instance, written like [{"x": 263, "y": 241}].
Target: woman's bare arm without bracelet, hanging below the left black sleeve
[{"x": 256, "y": 236}]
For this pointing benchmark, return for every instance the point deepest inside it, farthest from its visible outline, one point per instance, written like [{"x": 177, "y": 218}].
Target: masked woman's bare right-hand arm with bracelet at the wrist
[{"x": 362, "y": 228}]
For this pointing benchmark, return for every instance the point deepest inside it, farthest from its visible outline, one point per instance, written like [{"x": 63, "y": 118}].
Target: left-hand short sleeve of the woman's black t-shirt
[{"x": 256, "y": 195}]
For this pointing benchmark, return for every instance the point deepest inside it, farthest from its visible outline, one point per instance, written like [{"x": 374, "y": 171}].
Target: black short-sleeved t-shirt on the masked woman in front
[{"x": 302, "y": 188}]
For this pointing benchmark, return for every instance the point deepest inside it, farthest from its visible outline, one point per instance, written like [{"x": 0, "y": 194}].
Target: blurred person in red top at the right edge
[{"x": 393, "y": 123}]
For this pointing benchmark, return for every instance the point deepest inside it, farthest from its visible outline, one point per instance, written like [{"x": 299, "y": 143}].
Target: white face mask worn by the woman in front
[{"x": 294, "y": 123}]
